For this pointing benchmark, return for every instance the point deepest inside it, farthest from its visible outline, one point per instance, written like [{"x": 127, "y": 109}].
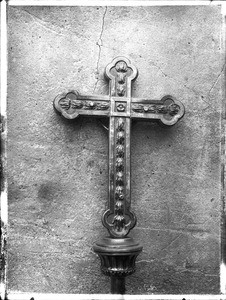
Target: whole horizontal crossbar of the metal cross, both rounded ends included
[{"x": 168, "y": 110}]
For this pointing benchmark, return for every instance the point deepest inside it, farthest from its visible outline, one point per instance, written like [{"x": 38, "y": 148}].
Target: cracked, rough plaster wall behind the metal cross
[{"x": 57, "y": 169}]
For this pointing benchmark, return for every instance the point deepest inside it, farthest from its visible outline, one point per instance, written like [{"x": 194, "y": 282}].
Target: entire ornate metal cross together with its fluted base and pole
[{"x": 118, "y": 252}]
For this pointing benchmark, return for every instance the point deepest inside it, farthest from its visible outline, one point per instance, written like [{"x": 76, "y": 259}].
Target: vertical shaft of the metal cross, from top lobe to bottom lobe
[{"x": 118, "y": 219}]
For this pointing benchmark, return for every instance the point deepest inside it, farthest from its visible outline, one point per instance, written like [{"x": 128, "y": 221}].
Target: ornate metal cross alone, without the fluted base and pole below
[{"x": 120, "y": 107}]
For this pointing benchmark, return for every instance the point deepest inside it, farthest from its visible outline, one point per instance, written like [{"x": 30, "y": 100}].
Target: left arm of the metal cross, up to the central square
[{"x": 72, "y": 104}]
